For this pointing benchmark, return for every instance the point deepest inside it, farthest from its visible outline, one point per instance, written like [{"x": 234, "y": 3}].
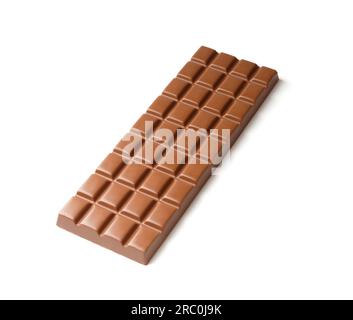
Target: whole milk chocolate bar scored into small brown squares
[{"x": 131, "y": 208}]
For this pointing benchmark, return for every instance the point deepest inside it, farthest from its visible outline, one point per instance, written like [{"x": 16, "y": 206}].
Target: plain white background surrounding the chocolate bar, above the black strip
[{"x": 275, "y": 223}]
